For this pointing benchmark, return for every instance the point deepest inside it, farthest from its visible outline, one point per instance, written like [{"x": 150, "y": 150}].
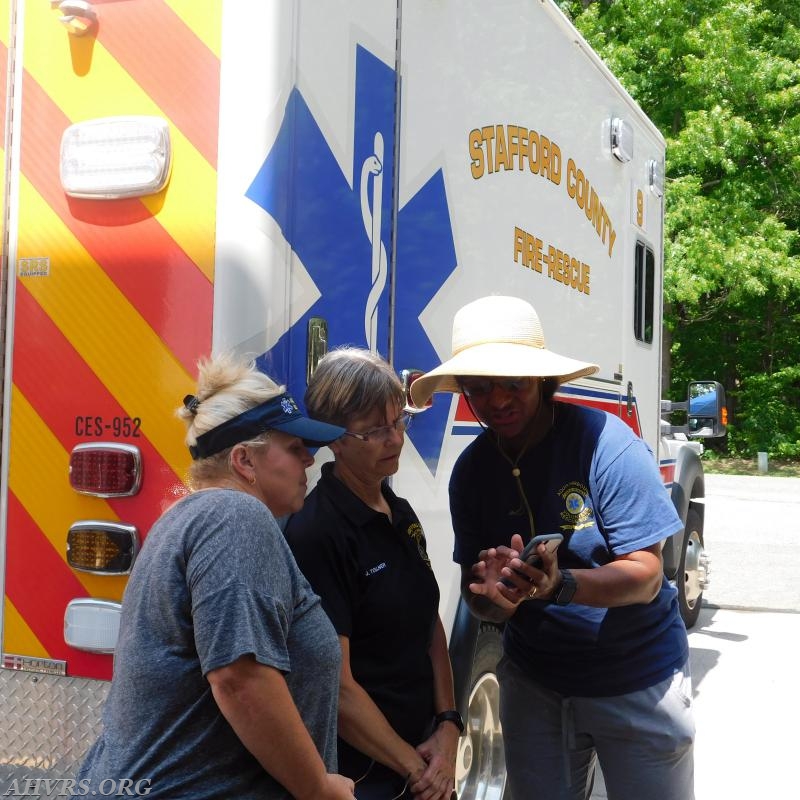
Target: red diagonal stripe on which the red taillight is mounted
[{"x": 45, "y": 366}]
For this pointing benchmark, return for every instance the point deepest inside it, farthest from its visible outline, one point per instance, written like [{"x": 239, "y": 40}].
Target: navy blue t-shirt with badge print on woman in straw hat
[{"x": 592, "y": 480}]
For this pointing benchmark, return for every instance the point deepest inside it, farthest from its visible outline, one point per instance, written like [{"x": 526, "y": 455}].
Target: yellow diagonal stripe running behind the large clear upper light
[{"x": 103, "y": 88}]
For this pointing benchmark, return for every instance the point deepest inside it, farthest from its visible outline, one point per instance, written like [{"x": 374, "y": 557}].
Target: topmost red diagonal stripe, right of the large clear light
[{"x": 170, "y": 63}]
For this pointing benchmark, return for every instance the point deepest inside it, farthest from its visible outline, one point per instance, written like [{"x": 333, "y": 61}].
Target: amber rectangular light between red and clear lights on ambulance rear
[{"x": 103, "y": 548}]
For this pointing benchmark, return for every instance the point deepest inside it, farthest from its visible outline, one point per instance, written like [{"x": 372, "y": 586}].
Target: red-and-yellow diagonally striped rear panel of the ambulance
[{"x": 109, "y": 304}]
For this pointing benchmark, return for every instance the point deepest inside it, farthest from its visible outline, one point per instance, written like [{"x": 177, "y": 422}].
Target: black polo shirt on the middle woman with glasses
[{"x": 378, "y": 588}]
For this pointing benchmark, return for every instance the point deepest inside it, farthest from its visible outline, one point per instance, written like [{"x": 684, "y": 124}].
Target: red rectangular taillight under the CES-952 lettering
[{"x": 105, "y": 469}]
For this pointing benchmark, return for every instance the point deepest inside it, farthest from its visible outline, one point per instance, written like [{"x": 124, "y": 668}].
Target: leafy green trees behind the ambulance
[{"x": 721, "y": 79}]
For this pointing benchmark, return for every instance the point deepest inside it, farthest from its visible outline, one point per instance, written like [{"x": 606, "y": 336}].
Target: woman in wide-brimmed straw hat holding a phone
[{"x": 595, "y": 652}]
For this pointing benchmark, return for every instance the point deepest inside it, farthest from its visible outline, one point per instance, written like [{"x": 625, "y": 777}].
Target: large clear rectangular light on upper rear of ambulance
[{"x": 115, "y": 157}]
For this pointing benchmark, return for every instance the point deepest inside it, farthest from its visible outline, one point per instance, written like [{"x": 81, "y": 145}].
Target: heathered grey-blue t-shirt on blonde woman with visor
[{"x": 215, "y": 580}]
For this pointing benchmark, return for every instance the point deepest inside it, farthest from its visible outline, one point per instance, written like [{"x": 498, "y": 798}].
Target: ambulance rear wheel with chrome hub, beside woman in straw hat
[{"x": 481, "y": 761}]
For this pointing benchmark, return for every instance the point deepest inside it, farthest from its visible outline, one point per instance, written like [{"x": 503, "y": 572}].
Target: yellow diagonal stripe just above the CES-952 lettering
[{"x": 127, "y": 356}]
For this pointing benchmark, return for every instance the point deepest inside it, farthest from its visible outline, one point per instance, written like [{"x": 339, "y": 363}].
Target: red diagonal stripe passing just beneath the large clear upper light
[{"x": 154, "y": 273}]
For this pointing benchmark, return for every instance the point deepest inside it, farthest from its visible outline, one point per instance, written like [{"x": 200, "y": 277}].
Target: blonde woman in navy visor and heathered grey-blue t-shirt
[{"x": 226, "y": 669}]
